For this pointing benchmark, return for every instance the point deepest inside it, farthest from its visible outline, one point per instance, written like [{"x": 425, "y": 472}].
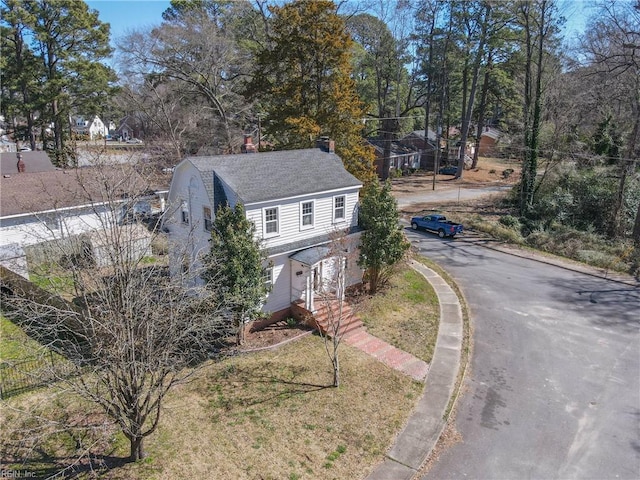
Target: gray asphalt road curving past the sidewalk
[{"x": 553, "y": 388}]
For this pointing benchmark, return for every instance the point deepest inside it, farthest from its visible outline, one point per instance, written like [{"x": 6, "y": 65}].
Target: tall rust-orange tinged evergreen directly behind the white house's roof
[{"x": 303, "y": 80}]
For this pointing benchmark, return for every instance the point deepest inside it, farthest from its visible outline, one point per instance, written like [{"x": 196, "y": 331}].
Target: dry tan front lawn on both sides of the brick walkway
[{"x": 266, "y": 415}]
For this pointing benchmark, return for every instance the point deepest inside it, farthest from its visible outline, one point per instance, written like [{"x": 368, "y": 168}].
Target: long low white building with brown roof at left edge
[{"x": 40, "y": 203}]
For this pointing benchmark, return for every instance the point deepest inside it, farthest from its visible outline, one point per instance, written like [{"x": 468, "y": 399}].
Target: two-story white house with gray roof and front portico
[{"x": 297, "y": 199}]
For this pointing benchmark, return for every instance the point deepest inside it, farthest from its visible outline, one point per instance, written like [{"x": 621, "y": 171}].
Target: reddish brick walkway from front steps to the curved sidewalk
[{"x": 388, "y": 354}]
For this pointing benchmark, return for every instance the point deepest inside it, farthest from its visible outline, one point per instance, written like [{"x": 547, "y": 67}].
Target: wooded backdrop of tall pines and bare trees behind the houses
[{"x": 291, "y": 72}]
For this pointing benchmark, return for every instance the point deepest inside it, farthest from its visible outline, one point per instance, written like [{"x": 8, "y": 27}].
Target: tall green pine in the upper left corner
[{"x": 71, "y": 43}]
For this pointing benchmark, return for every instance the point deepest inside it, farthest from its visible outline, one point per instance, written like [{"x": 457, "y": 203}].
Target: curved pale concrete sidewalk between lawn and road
[{"x": 416, "y": 441}]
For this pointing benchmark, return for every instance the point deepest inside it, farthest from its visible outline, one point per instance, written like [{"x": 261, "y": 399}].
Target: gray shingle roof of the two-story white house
[{"x": 263, "y": 176}]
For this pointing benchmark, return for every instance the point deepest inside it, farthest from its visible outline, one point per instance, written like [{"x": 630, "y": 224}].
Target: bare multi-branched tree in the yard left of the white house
[{"x": 109, "y": 307}]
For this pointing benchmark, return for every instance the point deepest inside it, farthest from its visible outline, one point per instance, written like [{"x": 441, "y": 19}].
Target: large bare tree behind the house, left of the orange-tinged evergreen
[{"x": 203, "y": 72}]
